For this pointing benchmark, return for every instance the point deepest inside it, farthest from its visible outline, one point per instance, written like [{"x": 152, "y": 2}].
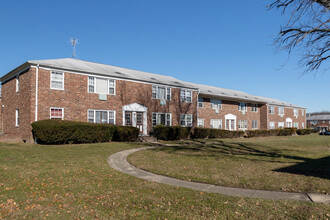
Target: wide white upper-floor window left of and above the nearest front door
[{"x": 101, "y": 85}]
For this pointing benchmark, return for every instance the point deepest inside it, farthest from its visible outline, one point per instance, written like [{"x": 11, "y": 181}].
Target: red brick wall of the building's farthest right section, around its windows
[{"x": 288, "y": 113}]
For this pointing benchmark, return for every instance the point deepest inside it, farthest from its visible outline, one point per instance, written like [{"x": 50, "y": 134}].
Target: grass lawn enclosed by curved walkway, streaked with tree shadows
[{"x": 297, "y": 164}]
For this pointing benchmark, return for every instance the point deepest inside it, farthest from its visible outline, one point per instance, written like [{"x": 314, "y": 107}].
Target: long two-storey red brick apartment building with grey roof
[{"x": 78, "y": 90}]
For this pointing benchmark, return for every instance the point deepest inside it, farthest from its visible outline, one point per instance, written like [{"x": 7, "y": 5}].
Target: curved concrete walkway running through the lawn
[{"x": 118, "y": 162}]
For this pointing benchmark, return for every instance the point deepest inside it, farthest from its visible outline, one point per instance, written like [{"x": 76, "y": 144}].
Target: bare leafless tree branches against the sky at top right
[{"x": 307, "y": 29}]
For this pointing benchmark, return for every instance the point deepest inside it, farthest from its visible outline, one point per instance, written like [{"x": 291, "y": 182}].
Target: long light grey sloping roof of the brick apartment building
[{"x": 119, "y": 72}]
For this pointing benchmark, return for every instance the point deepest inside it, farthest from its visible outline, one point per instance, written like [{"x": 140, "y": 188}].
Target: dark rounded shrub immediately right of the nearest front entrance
[{"x": 162, "y": 132}]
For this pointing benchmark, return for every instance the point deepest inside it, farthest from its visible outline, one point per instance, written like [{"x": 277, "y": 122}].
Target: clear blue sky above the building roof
[{"x": 221, "y": 43}]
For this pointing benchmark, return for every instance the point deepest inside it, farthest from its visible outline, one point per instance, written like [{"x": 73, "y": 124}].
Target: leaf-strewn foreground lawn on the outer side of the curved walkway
[{"x": 75, "y": 182}]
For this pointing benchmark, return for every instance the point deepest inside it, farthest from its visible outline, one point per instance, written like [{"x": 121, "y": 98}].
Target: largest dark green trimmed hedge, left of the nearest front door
[{"x": 73, "y": 132}]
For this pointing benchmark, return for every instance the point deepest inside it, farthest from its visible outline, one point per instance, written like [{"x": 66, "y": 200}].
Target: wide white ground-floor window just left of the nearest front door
[{"x": 101, "y": 116}]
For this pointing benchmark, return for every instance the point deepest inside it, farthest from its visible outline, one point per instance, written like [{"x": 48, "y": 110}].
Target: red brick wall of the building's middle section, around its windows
[{"x": 228, "y": 107}]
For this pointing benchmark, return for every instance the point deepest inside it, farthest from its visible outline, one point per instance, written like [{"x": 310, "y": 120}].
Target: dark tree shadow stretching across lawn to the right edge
[{"x": 302, "y": 165}]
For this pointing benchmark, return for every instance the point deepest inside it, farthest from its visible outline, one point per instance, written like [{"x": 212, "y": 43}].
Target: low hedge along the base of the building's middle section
[{"x": 215, "y": 133}]
